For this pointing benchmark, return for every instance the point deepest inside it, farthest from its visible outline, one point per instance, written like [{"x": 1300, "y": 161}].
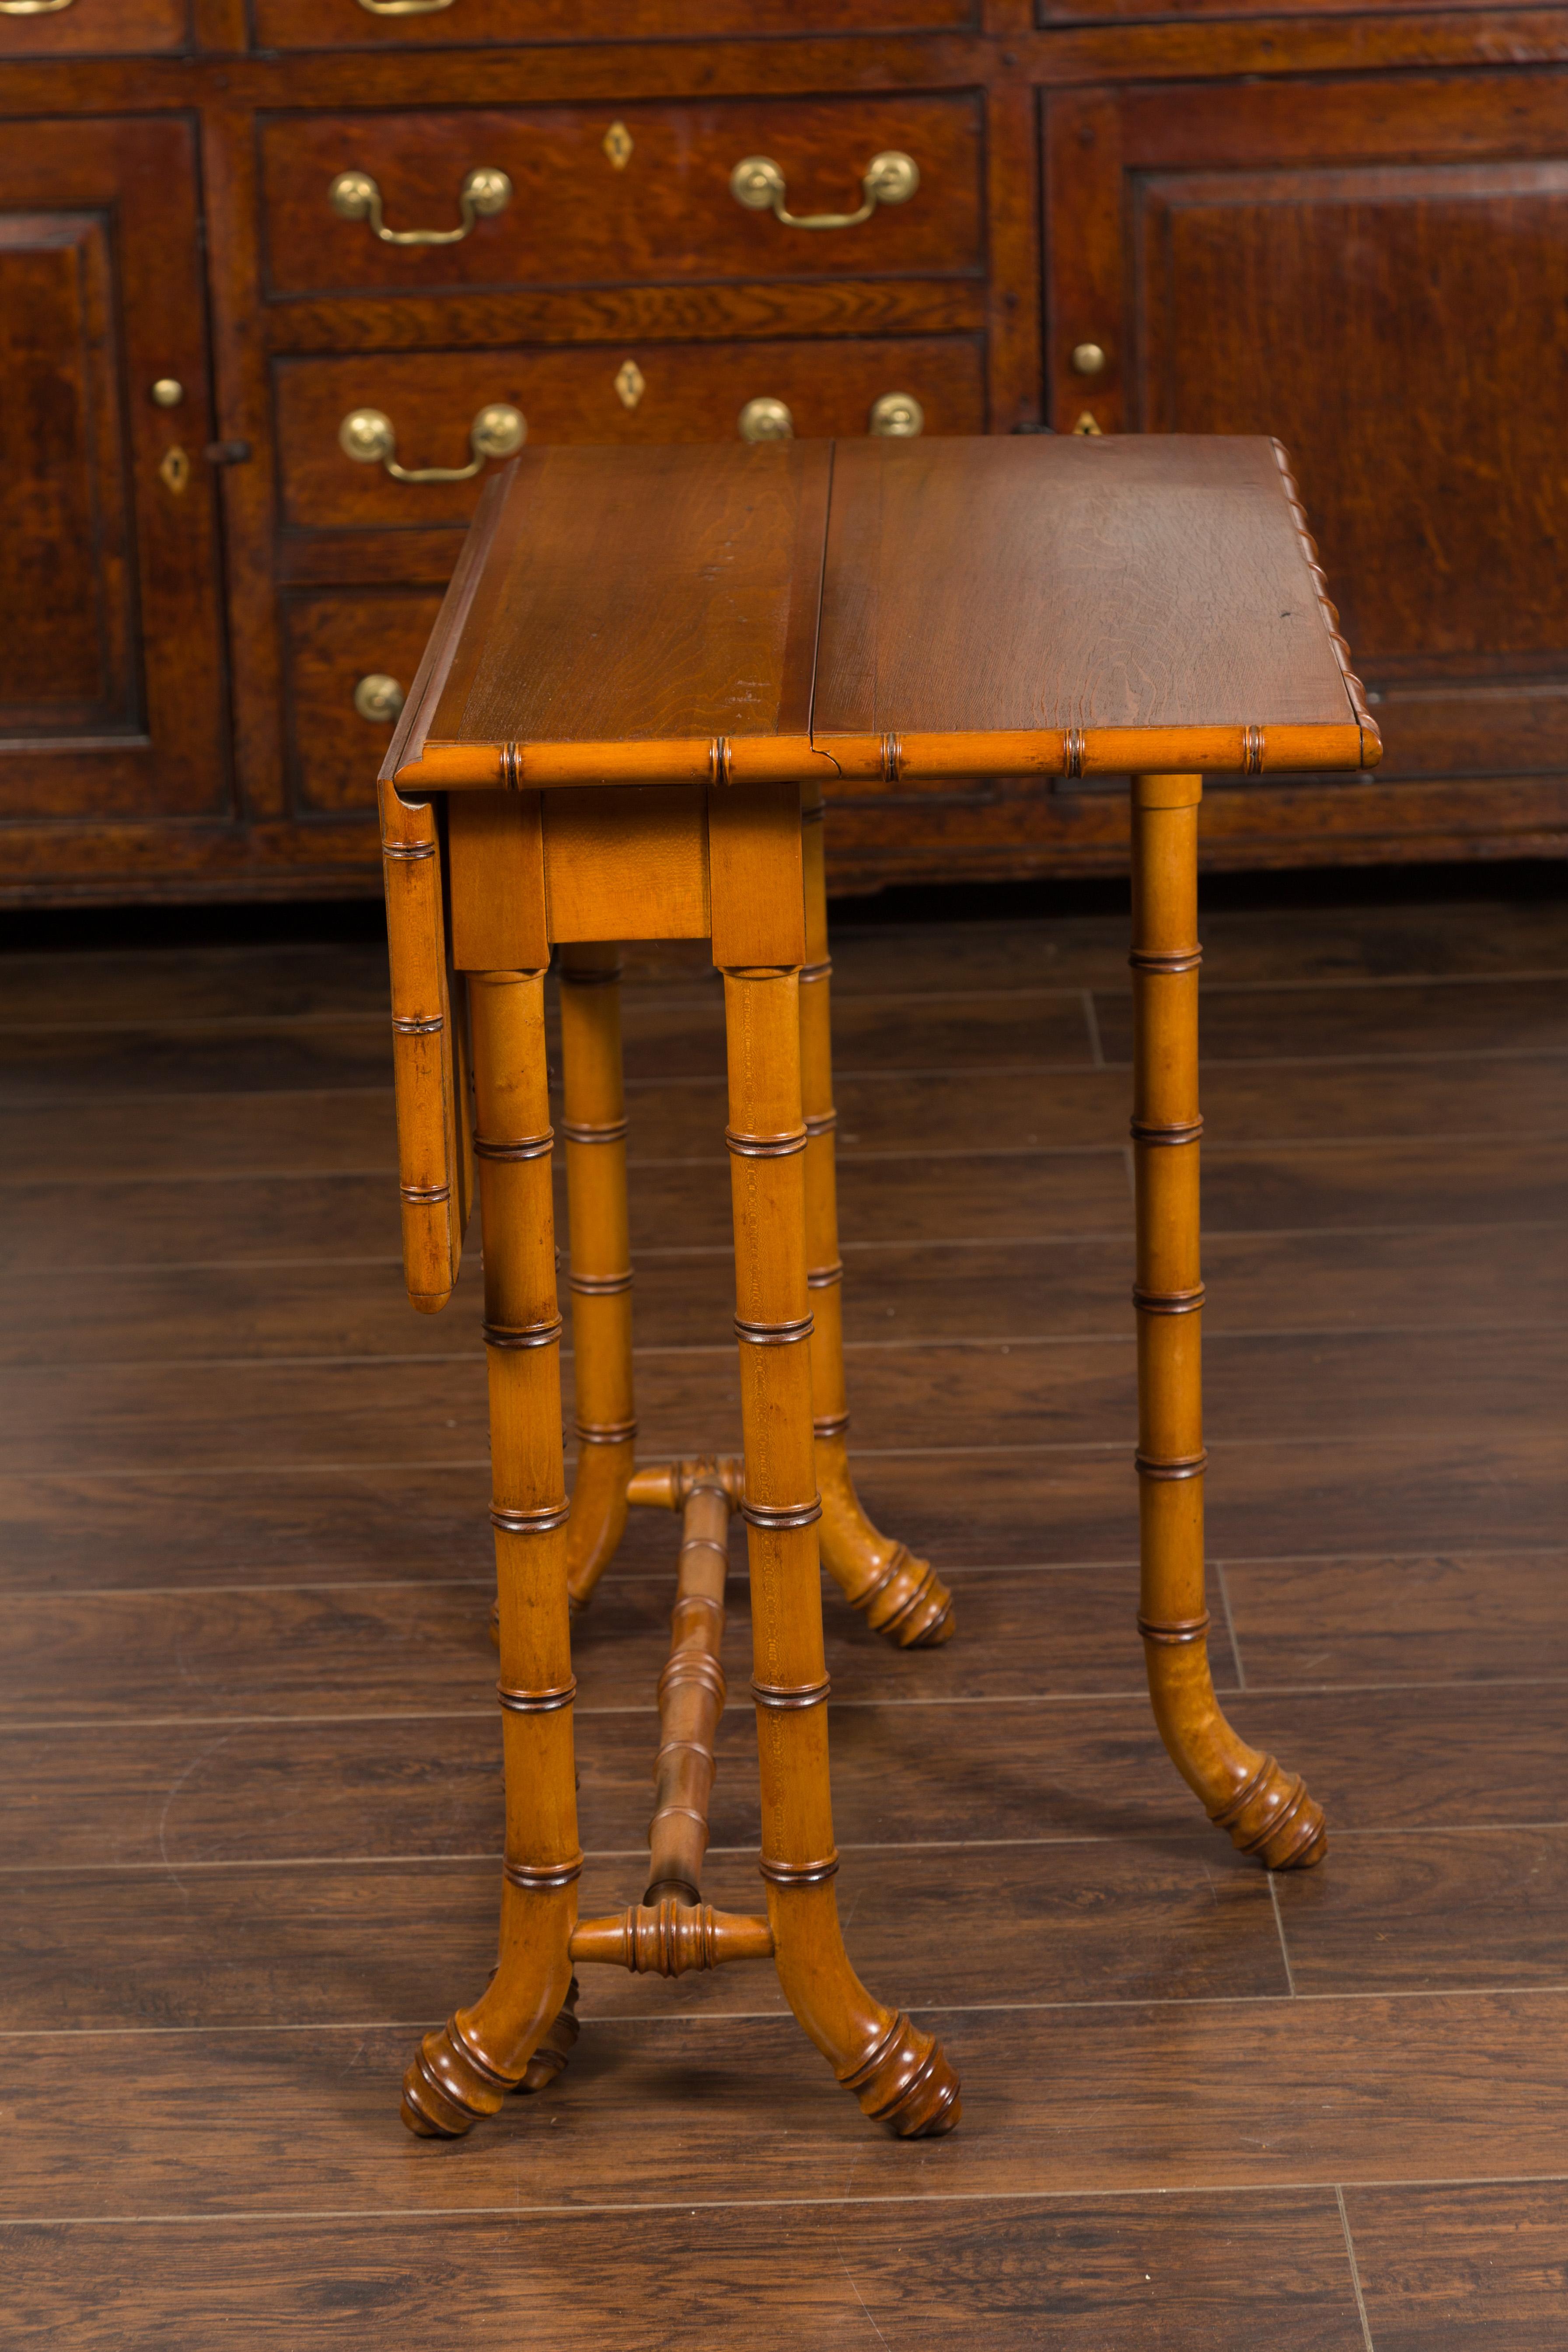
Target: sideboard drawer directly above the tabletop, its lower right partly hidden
[{"x": 645, "y": 394}]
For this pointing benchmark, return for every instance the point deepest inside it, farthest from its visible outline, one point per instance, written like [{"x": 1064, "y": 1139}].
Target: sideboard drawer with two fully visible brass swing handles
[{"x": 598, "y": 196}]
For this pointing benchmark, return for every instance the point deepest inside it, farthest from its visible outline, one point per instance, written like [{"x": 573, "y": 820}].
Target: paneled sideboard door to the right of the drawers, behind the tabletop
[{"x": 1271, "y": 260}]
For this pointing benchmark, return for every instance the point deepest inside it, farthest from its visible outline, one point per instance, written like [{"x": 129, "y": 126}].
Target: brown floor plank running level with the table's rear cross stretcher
[{"x": 993, "y": 1509}]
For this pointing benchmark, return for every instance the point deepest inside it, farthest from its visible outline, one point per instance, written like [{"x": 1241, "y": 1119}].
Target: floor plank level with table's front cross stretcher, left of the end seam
[{"x": 1158, "y": 1920}]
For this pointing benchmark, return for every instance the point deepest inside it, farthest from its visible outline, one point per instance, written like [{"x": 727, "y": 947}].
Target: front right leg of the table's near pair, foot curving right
[{"x": 897, "y": 2073}]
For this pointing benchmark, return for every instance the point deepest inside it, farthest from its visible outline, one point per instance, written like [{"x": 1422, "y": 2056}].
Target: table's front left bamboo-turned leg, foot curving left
[{"x": 464, "y": 2071}]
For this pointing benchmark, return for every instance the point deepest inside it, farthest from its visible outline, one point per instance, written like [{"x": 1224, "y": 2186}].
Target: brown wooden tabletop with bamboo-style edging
[{"x": 880, "y": 610}]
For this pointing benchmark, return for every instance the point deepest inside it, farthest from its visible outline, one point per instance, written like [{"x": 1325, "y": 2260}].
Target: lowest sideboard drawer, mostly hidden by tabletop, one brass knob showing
[{"x": 349, "y": 664}]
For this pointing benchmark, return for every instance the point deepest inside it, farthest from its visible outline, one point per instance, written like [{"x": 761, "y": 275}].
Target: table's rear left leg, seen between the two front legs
[{"x": 601, "y": 1281}]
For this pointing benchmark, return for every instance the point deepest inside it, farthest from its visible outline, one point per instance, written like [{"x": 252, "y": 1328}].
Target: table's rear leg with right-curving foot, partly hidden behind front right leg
[{"x": 894, "y": 1591}]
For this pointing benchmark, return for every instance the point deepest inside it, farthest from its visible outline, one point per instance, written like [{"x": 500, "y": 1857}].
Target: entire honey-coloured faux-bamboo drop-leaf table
[{"x": 786, "y": 601}]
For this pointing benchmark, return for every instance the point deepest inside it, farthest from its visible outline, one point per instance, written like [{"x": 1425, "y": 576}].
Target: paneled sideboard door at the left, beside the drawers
[{"x": 112, "y": 653}]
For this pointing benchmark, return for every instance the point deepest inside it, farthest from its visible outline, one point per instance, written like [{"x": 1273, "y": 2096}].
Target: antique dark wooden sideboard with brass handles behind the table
[{"x": 267, "y": 265}]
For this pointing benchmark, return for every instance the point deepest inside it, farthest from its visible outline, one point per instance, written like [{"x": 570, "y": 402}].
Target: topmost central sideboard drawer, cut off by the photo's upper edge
[{"x": 445, "y": 25}]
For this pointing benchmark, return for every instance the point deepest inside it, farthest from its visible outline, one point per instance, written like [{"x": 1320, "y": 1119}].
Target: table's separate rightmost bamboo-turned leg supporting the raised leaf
[{"x": 1266, "y": 1810}]
